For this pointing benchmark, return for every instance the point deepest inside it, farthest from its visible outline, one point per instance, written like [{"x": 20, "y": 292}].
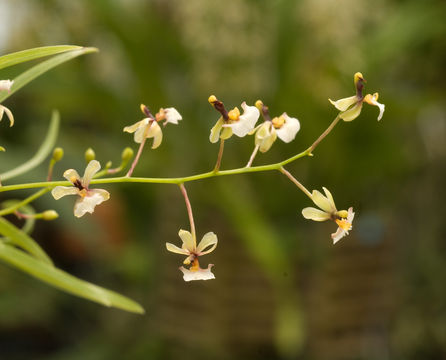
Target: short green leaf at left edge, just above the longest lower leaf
[{"x": 21, "y": 239}]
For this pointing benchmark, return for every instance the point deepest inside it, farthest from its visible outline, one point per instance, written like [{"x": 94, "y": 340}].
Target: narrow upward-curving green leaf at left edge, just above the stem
[{"x": 44, "y": 150}]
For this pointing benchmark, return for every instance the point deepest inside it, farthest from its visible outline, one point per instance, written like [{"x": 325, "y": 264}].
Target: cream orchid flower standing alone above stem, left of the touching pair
[{"x": 149, "y": 128}]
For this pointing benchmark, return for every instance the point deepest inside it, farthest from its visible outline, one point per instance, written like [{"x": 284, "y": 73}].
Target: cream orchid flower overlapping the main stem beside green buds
[{"x": 88, "y": 198}]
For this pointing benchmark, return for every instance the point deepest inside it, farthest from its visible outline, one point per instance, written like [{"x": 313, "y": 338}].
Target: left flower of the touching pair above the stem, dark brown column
[{"x": 232, "y": 122}]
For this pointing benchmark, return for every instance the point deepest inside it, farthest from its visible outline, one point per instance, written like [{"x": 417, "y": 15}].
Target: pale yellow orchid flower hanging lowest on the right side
[{"x": 327, "y": 211}]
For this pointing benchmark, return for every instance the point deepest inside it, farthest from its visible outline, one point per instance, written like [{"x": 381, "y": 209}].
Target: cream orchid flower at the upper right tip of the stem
[{"x": 351, "y": 107}]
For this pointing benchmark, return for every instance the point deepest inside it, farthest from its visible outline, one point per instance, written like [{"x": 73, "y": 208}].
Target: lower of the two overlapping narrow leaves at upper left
[{"x": 42, "y": 68}]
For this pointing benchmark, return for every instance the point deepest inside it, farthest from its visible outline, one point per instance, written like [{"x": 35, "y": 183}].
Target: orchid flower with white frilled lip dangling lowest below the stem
[{"x": 189, "y": 248}]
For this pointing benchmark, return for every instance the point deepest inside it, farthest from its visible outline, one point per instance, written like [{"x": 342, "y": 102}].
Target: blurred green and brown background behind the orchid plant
[{"x": 282, "y": 291}]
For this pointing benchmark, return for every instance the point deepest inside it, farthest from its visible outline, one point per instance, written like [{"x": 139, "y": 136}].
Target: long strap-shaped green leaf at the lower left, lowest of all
[{"x": 66, "y": 282}]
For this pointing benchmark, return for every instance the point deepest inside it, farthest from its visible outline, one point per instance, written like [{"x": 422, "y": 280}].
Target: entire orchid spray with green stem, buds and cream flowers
[{"x": 228, "y": 123}]
